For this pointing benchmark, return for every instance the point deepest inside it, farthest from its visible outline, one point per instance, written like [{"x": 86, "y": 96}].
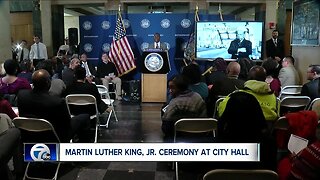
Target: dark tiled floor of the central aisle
[{"x": 137, "y": 123}]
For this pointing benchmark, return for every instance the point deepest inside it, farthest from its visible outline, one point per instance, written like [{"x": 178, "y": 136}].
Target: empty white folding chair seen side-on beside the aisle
[{"x": 106, "y": 99}]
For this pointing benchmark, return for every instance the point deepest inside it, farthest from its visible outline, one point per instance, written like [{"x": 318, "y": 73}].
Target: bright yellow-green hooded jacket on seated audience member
[{"x": 267, "y": 100}]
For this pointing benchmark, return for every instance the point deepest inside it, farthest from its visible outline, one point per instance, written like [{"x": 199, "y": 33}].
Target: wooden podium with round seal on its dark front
[{"x": 154, "y": 75}]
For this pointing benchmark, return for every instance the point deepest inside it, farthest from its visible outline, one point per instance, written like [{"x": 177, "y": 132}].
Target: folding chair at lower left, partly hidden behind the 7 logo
[{"x": 33, "y": 126}]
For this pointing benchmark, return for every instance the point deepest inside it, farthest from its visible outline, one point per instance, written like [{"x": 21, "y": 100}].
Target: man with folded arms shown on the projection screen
[{"x": 240, "y": 47}]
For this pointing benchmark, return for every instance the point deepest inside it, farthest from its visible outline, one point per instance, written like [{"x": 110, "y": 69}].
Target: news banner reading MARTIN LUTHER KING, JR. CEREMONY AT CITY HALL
[{"x": 142, "y": 152}]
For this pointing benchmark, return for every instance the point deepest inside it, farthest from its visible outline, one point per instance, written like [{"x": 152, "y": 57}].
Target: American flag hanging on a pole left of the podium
[{"x": 120, "y": 52}]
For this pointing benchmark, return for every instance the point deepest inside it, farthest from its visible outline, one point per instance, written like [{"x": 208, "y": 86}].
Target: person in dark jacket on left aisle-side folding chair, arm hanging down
[{"x": 80, "y": 86}]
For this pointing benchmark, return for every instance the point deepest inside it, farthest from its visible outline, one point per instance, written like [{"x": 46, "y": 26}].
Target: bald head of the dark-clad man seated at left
[{"x": 41, "y": 80}]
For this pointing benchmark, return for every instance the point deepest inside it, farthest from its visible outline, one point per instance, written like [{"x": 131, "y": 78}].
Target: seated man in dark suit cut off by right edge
[{"x": 312, "y": 88}]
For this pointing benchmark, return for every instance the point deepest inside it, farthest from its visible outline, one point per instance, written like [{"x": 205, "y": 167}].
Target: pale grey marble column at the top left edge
[{"x": 5, "y": 31}]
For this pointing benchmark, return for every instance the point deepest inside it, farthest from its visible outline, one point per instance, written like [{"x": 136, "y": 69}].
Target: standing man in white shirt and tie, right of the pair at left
[{"x": 38, "y": 51}]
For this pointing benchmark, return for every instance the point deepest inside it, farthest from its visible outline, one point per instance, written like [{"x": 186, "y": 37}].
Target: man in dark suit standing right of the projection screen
[{"x": 275, "y": 46}]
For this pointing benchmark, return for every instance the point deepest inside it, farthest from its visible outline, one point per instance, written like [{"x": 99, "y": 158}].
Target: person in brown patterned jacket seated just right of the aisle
[{"x": 185, "y": 104}]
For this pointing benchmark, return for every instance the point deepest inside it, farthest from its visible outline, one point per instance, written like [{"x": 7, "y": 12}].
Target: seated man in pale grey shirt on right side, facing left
[{"x": 288, "y": 74}]
